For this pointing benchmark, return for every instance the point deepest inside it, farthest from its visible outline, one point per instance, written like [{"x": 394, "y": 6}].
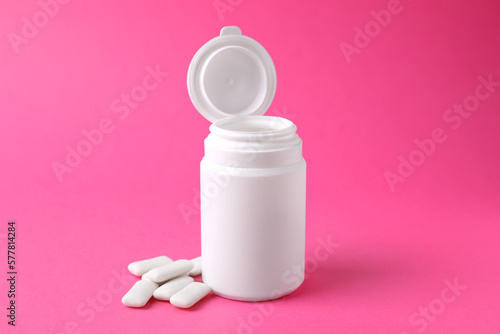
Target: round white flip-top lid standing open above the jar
[{"x": 231, "y": 75}]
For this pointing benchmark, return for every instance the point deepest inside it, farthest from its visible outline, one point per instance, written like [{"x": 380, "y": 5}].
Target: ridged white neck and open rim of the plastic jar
[{"x": 253, "y": 142}]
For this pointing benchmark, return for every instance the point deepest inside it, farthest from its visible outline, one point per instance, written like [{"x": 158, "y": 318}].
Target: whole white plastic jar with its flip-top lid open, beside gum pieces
[{"x": 253, "y": 175}]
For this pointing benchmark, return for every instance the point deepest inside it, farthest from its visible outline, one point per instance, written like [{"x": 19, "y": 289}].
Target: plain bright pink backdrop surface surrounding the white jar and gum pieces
[{"x": 395, "y": 249}]
